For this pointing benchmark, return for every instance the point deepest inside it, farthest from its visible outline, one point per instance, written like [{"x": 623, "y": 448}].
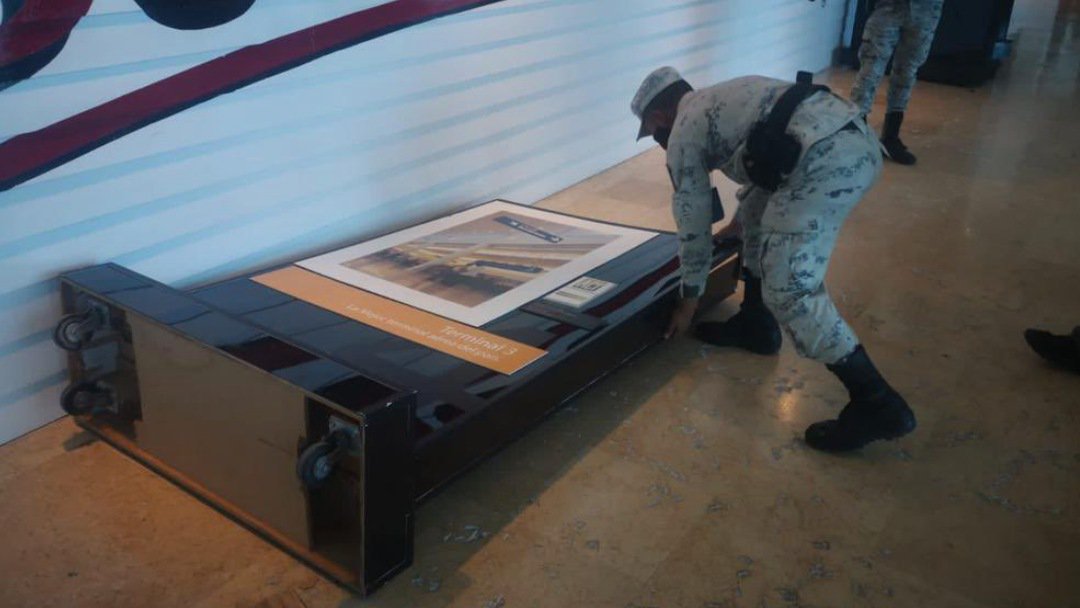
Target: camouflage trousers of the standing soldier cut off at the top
[{"x": 907, "y": 28}]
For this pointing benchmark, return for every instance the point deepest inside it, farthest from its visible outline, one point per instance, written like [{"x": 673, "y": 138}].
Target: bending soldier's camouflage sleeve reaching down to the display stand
[{"x": 692, "y": 207}]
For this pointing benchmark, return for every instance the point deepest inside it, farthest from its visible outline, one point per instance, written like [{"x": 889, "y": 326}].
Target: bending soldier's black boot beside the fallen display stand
[{"x": 753, "y": 328}]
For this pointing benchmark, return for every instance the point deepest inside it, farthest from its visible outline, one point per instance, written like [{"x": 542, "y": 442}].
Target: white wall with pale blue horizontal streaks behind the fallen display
[{"x": 519, "y": 99}]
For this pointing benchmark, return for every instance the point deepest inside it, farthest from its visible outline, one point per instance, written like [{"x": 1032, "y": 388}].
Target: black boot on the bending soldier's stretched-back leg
[{"x": 876, "y": 412}]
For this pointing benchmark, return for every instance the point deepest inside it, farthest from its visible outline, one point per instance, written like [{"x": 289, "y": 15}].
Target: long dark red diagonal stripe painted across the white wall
[{"x": 33, "y": 154}]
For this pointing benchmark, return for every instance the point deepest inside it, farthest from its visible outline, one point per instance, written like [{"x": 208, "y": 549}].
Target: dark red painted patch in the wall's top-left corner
[{"x": 38, "y": 25}]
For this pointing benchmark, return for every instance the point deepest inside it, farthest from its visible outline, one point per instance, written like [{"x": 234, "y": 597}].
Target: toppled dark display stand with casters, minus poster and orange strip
[{"x": 323, "y": 434}]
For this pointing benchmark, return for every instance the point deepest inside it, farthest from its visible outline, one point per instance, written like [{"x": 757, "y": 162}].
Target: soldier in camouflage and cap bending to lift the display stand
[{"x": 789, "y": 235}]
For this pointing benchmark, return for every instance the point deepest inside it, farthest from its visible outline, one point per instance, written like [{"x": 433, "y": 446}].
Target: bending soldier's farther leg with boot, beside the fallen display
[{"x": 753, "y": 328}]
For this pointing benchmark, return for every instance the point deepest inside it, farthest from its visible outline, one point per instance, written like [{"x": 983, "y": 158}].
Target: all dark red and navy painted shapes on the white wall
[{"x": 35, "y": 32}]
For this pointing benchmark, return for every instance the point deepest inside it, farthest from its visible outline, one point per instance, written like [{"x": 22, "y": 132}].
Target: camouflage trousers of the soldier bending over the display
[{"x": 789, "y": 238}]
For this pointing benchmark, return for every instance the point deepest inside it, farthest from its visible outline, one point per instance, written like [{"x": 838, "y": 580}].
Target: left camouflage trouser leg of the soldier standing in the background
[{"x": 881, "y": 36}]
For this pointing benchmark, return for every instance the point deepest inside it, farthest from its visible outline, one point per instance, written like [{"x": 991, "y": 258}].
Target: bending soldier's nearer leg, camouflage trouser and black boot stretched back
[{"x": 802, "y": 224}]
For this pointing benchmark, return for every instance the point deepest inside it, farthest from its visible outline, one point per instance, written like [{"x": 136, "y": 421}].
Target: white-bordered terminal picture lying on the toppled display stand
[{"x": 480, "y": 264}]
